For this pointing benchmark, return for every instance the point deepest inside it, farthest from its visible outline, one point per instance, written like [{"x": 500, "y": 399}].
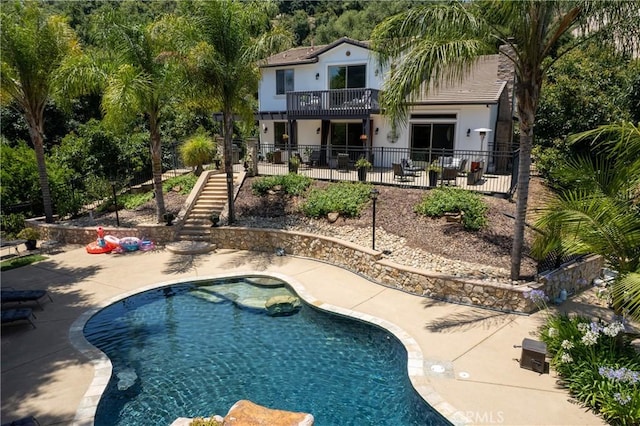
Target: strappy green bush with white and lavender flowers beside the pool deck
[{"x": 598, "y": 365}]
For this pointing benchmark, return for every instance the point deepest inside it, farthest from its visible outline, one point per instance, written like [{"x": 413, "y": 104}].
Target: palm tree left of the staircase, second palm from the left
[{"x": 136, "y": 82}]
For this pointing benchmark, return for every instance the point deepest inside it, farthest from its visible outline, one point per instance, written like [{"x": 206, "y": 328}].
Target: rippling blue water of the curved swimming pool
[{"x": 195, "y": 349}]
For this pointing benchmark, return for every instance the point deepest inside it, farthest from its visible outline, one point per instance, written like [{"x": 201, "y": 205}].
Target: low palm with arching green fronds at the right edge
[{"x": 600, "y": 212}]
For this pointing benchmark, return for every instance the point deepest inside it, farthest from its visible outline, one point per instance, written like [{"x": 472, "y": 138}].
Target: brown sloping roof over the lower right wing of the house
[{"x": 480, "y": 86}]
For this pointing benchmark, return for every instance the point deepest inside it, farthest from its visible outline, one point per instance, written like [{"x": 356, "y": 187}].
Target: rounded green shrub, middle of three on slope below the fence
[{"x": 346, "y": 198}]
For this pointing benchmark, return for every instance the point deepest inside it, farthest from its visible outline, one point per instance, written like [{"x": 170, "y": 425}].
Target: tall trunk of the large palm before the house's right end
[{"x": 527, "y": 93}]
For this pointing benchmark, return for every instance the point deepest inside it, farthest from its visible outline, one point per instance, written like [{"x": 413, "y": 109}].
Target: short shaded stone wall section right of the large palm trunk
[{"x": 574, "y": 276}]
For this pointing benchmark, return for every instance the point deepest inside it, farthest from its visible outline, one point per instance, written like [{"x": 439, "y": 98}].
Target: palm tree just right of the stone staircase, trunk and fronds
[{"x": 222, "y": 64}]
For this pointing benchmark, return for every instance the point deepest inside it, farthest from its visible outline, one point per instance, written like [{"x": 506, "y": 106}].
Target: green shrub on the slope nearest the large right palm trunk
[{"x": 453, "y": 200}]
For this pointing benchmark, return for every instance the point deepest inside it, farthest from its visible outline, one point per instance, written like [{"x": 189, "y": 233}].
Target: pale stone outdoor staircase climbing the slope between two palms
[{"x": 212, "y": 199}]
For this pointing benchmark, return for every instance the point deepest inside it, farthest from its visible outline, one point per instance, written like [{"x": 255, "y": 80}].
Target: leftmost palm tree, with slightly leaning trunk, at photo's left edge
[{"x": 33, "y": 48}]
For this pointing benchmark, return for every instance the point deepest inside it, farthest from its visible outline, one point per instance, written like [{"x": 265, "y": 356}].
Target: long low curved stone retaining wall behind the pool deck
[{"x": 364, "y": 261}]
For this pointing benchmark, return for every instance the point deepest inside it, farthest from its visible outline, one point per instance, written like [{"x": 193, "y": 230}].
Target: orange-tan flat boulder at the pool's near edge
[{"x": 247, "y": 413}]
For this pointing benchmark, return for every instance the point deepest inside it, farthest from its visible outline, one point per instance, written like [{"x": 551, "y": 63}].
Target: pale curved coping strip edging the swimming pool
[{"x": 416, "y": 366}]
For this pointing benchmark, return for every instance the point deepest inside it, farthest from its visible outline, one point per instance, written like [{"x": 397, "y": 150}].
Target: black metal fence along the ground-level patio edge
[{"x": 482, "y": 171}]
